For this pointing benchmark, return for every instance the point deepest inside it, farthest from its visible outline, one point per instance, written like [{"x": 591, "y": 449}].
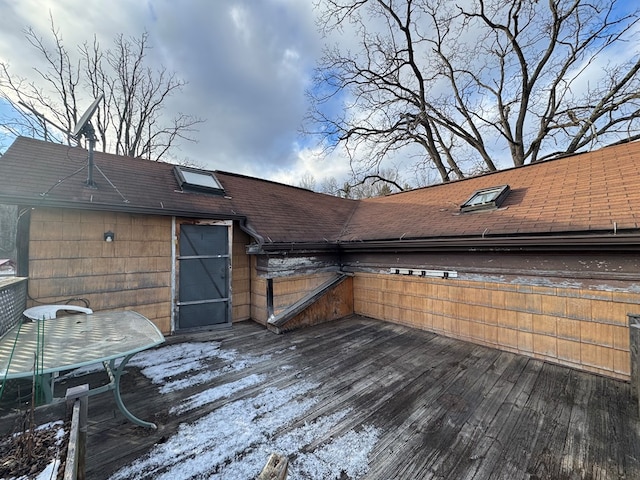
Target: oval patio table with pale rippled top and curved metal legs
[{"x": 43, "y": 348}]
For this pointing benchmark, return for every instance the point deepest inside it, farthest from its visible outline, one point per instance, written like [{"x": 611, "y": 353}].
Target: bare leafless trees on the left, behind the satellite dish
[{"x": 130, "y": 120}]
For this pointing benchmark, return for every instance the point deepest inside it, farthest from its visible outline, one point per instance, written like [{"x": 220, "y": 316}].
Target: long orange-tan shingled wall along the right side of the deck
[{"x": 585, "y": 328}]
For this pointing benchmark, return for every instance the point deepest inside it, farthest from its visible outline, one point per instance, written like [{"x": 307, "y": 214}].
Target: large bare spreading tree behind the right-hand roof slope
[{"x": 476, "y": 80}]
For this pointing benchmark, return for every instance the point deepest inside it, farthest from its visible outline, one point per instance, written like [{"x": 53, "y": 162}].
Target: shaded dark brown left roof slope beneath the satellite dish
[{"x": 38, "y": 173}]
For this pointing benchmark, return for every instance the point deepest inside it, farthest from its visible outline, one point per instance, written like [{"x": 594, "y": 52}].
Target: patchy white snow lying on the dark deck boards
[{"x": 235, "y": 440}]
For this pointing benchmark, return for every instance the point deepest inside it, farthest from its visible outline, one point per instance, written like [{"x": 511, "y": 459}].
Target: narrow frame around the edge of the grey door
[{"x": 175, "y": 272}]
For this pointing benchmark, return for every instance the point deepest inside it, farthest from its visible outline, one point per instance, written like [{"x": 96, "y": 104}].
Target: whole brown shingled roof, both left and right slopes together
[{"x": 594, "y": 192}]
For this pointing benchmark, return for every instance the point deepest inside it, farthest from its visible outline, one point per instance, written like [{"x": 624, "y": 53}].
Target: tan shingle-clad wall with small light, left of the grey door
[{"x": 68, "y": 258}]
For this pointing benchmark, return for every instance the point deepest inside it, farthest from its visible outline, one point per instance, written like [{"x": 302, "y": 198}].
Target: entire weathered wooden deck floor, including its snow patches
[{"x": 412, "y": 403}]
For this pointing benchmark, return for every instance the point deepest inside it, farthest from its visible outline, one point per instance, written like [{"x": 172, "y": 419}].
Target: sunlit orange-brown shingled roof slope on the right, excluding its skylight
[{"x": 589, "y": 192}]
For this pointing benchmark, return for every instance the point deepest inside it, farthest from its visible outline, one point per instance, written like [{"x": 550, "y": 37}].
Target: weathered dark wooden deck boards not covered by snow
[{"x": 441, "y": 408}]
